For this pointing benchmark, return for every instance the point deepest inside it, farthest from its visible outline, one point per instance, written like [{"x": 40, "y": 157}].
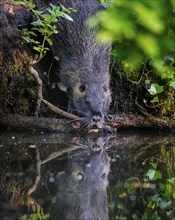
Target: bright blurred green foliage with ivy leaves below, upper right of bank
[{"x": 143, "y": 36}]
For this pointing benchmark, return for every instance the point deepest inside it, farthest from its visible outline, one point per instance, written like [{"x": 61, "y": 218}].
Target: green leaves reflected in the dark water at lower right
[{"x": 151, "y": 196}]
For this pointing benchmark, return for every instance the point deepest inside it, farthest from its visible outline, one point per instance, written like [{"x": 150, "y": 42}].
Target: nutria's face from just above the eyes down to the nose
[{"x": 91, "y": 99}]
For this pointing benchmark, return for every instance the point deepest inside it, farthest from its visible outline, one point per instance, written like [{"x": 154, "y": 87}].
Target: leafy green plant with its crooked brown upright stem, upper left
[{"x": 44, "y": 25}]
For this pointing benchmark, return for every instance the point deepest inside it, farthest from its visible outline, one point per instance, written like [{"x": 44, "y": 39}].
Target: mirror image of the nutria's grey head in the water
[{"x": 82, "y": 187}]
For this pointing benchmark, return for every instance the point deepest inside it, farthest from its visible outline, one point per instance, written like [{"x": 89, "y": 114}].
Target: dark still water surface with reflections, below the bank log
[{"x": 61, "y": 176}]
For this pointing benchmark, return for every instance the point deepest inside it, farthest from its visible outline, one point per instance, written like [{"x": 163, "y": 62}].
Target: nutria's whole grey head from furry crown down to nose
[{"x": 89, "y": 92}]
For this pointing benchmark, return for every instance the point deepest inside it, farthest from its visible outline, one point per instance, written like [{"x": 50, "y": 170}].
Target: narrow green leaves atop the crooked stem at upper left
[{"x": 45, "y": 25}]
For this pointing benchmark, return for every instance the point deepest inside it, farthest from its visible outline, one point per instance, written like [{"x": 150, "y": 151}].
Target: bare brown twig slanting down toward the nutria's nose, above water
[{"x": 60, "y": 111}]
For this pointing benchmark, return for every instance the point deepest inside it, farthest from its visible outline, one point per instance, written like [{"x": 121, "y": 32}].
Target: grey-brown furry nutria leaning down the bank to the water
[{"x": 84, "y": 63}]
